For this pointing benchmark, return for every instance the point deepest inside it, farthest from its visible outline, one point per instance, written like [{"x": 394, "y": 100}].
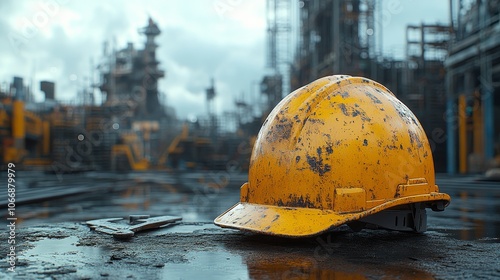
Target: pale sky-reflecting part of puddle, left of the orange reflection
[{"x": 206, "y": 265}]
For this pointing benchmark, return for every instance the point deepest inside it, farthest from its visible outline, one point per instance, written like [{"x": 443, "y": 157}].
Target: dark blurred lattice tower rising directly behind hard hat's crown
[{"x": 336, "y": 37}]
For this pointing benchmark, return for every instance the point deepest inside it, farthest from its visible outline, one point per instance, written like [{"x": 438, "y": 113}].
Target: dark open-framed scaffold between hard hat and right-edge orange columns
[{"x": 423, "y": 88}]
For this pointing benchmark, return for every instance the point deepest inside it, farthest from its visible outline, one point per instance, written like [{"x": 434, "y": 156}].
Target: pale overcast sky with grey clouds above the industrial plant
[{"x": 225, "y": 39}]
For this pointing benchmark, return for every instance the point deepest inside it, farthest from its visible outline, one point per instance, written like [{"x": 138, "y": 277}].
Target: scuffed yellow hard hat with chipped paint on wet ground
[{"x": 341, "y": 150}]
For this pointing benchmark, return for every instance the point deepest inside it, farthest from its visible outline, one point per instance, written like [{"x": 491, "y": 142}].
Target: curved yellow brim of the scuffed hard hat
[{"x": 304, "y": 222}]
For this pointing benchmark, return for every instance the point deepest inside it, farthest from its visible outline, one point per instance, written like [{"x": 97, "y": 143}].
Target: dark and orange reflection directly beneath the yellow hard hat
[{"x": 341, "y": 254}]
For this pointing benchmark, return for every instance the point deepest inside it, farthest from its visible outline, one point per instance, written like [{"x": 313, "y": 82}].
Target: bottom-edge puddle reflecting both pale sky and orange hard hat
[{"x": 225, "y": 265}]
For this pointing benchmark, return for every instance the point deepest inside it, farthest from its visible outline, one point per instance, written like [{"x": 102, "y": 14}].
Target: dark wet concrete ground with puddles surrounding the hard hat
[{"x": 54, "y": 243}]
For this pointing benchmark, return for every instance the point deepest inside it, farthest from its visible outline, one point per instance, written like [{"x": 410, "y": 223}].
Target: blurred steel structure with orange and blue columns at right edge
[{"x": 473, "y": 102}]
